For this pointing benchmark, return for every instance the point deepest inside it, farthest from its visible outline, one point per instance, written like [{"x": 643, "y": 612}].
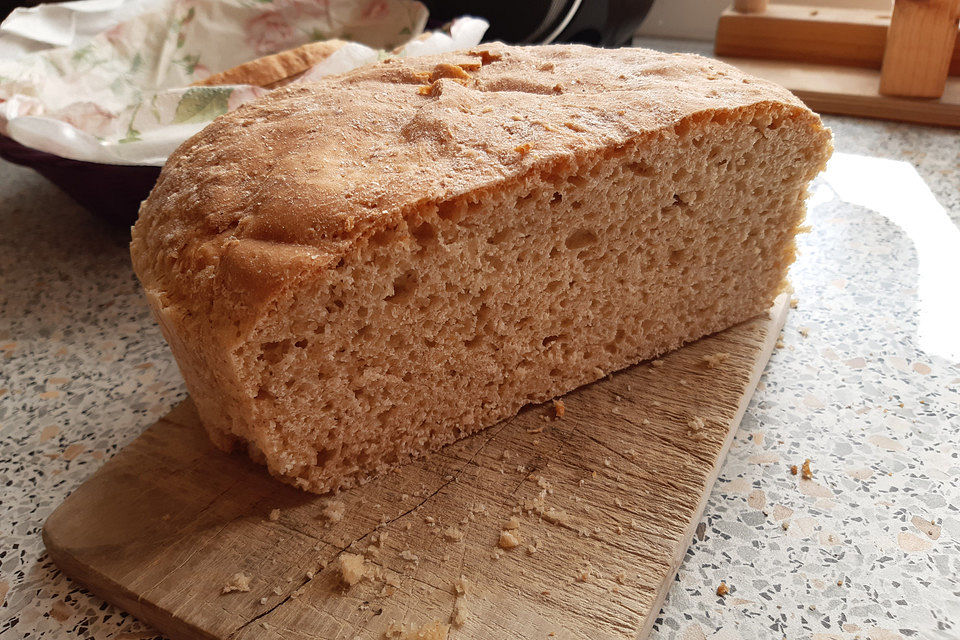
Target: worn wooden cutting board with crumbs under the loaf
[{"x": 607, "y": 499}]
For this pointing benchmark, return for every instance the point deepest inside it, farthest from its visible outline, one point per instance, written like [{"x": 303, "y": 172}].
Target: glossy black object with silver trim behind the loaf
[{"x": 606, "y": 23}]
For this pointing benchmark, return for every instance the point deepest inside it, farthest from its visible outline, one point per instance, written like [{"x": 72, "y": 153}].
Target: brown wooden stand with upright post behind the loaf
[{"x": 853, "y": 61}]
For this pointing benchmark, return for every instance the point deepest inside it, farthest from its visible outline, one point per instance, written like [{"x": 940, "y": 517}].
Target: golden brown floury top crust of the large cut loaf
[{"x": 285, "y": 185}]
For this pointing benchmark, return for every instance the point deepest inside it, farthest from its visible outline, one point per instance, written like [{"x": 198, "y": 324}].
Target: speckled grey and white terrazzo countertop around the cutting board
[{"x": 866, "y": 384}]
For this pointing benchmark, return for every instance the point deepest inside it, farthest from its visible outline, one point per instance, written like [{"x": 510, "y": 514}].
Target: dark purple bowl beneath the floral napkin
[{"x": 110, "y": 191}]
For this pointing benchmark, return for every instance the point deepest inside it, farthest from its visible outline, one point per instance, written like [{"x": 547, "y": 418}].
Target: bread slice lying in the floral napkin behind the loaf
[{"x": 276, "y": 70}]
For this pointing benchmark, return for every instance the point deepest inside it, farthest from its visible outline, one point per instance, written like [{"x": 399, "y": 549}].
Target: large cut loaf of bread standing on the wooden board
[{"x": 354, "y": 272}]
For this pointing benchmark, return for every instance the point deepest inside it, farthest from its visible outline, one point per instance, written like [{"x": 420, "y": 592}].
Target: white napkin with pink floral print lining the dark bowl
[{"x": 122, "y": 95}]
